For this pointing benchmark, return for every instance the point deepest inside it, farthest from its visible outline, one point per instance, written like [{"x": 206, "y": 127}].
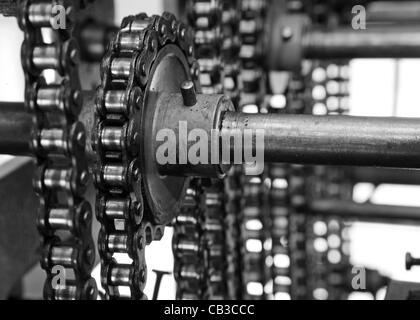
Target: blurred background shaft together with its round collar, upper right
[{"x": 291, "y": 41}]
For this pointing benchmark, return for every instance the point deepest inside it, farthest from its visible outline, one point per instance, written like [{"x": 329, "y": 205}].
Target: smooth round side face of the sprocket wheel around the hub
[{"x": 163, "y": 193}]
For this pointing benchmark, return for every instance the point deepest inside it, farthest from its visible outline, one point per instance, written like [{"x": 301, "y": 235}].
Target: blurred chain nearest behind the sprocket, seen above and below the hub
[{"x": 204, "y": 17}]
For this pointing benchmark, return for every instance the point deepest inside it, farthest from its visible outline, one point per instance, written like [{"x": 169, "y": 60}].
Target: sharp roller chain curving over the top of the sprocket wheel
[{"x": 120, "y": 208}]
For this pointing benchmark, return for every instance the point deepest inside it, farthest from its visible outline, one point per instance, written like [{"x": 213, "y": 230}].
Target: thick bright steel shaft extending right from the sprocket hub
[{"x": 333, "y": 140}]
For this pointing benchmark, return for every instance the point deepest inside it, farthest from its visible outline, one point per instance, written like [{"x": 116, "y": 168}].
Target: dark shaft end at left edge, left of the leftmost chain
[{"x": 15, "y": 129}]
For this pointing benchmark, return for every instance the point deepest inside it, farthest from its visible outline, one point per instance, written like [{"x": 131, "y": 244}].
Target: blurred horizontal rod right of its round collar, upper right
[{"x": 388, "y": 41}]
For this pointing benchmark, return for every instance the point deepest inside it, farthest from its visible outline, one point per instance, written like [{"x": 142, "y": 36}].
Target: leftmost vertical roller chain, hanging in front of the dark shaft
[{"x": 58, "y": 142}]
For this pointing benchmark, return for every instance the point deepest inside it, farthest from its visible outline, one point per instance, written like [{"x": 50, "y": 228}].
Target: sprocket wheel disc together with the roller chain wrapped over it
[{"x": 133, "y": 199}]
